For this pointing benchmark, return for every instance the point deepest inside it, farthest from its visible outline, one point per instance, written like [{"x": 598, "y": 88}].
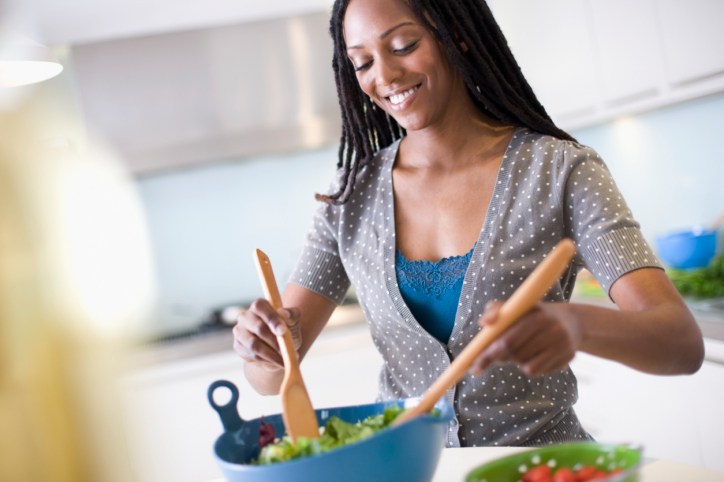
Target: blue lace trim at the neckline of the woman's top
[{"x": 433, "y": 279}]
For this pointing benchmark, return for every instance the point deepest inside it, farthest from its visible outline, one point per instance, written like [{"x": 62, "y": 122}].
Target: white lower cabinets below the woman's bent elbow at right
[{"x": 675, "y": 418}]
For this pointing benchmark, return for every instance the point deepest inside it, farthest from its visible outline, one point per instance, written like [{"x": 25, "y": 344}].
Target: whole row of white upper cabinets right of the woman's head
[{"x": 590, "y": 61}]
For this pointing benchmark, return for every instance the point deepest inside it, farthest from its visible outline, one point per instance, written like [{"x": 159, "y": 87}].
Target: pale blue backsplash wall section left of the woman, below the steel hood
[{"x": 206, "y": 222}]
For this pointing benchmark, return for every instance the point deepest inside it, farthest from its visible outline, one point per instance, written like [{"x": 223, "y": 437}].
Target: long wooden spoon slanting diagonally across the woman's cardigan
[{"x": 521, "y": 301}]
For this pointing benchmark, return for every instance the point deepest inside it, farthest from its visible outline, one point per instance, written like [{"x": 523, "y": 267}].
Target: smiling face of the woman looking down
[{"x": 399, "y": 63}]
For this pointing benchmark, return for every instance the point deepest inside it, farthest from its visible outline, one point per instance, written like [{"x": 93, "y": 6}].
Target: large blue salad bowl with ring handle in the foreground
[{"x": 409, "y": 451}]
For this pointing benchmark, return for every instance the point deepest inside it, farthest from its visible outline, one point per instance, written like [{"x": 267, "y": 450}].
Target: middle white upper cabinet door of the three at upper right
[{"x": 628, "y": 49}]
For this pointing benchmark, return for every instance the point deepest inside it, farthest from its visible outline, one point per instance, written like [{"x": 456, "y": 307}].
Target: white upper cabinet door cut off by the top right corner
[{"x": 693, "y": 38}]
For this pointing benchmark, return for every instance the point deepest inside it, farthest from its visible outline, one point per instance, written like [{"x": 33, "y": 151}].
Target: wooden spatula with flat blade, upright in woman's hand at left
[{"x": 297, "y": 411}]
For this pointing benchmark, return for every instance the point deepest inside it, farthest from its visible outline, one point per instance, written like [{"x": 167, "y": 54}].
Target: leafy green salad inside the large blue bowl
[{"x": 335, "y": 433}]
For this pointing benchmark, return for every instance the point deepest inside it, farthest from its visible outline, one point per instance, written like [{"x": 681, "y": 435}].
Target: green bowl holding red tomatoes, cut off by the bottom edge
[{"x": 571, "y": 455}]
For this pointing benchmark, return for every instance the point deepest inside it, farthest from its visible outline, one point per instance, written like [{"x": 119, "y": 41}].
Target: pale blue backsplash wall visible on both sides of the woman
[{"x": 205, "y": 222}]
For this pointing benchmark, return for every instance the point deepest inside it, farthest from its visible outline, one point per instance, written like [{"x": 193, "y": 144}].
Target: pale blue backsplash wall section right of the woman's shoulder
[{"x": 668, "y": 163}]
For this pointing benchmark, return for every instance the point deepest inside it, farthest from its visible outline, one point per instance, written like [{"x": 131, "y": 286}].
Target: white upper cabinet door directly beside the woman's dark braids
[{"x": 551, "y": 41}]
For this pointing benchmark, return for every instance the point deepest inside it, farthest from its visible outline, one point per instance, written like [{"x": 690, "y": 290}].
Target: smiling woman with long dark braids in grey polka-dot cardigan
[{"x": 453, "y": 184}]
